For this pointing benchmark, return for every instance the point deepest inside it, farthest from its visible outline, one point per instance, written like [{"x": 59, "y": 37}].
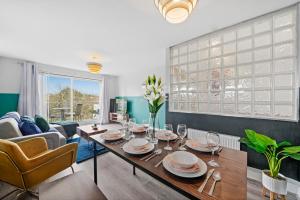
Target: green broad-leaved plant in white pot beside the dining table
[{"x": 275, "y": 153}]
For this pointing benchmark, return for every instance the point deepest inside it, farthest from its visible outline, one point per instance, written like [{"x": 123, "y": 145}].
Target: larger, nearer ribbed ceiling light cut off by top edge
[{"x": 175, "y": 11}]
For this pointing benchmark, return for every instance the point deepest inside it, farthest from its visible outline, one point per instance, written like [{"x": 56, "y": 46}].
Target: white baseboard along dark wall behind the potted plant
[{"x": 292, "y": 187}]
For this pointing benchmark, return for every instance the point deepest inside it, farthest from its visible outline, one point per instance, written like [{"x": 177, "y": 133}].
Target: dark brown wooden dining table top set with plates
[{"x": 233, "y": 171}]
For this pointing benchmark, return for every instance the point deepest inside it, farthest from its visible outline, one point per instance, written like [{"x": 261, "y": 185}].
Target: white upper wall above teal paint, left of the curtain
[{"x": 10, "y": 75}]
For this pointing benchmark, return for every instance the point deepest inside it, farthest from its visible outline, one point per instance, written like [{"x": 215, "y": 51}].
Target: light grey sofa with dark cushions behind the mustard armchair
[{"x": 9, "y": 129}]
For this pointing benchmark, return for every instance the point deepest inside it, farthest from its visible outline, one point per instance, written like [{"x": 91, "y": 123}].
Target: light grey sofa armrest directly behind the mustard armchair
[{"x": 54, "y": 139}]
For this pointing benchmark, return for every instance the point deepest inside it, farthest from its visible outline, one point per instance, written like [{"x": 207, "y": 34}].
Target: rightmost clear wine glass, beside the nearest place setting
[{"x": 213, "y": 144}]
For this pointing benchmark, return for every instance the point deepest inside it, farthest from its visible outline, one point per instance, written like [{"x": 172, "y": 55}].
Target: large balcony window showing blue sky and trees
[{"x": 69, "y": 98}]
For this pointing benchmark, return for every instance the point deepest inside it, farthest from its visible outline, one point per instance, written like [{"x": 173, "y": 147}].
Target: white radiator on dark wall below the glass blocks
[{"x": 228, "y": 141}]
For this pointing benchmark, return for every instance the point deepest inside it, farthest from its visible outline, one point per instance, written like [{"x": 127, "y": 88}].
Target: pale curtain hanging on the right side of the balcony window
[{"x": 109, "y": 91}]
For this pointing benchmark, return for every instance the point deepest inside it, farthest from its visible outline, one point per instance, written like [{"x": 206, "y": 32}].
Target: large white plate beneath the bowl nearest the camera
[{"x": 201, "y": 172}]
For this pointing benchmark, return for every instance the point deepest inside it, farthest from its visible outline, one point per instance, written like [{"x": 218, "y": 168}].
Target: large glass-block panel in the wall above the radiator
[{"x": 249, "y": 69}]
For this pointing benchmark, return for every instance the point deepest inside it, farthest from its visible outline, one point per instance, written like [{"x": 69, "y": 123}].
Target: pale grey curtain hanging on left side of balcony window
[{"x": 29, "y": 99}]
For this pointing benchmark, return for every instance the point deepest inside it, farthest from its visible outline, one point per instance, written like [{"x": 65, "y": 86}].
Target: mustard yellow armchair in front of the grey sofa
[{"x": 27, "y": 163}]
